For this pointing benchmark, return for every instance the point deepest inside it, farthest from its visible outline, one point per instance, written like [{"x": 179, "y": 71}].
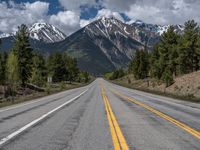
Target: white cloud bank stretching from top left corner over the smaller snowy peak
[{"x": 12, "y": 15}]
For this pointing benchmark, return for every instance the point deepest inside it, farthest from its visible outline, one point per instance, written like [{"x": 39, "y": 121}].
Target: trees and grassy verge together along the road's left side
[{"x": 26, "y": 74}]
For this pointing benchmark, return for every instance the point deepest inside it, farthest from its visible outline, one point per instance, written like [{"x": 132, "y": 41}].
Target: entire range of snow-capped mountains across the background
[{"x": 101, "y": 46}]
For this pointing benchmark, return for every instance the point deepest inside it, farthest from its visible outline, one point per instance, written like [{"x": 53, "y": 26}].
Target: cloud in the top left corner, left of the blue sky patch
[{"x": 12, "y": 15}]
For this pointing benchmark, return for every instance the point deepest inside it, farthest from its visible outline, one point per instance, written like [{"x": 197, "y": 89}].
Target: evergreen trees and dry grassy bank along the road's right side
[{"x": 174, "y": 56}]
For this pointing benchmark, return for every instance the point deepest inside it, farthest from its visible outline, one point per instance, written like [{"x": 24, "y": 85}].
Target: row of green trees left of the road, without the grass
[{"x": 22, "y": 65}]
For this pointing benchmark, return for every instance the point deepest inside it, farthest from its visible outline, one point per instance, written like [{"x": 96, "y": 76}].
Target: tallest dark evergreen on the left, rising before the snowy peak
[{"x": 24, "y": 53}]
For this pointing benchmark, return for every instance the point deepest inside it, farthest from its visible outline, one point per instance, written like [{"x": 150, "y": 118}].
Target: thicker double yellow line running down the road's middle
[{"x": 118, "y": 139}]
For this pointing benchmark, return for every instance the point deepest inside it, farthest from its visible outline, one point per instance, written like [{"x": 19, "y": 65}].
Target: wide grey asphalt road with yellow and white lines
[{"x": 101, "y": 116}]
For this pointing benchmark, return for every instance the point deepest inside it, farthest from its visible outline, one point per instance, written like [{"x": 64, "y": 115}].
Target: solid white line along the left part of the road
[{"x": 34, "y": 122}]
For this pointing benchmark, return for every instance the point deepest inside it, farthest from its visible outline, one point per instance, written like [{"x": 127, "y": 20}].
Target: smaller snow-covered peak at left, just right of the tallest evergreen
[{"x": 46, "y": 33}]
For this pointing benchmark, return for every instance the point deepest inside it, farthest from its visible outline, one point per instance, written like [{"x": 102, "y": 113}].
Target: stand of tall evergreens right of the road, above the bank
[{"x": 174, "y": 55}]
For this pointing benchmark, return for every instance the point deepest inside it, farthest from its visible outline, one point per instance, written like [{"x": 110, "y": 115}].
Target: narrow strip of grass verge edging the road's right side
[{"x": 190, "y": 98}]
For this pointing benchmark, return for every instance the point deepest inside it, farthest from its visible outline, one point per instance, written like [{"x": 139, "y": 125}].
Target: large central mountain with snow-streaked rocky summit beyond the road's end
[{"x": 103, "y": 45}]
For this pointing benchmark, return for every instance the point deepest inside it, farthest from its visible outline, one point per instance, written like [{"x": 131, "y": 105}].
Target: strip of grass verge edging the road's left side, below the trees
[{"x": 36, "y": 95}]
